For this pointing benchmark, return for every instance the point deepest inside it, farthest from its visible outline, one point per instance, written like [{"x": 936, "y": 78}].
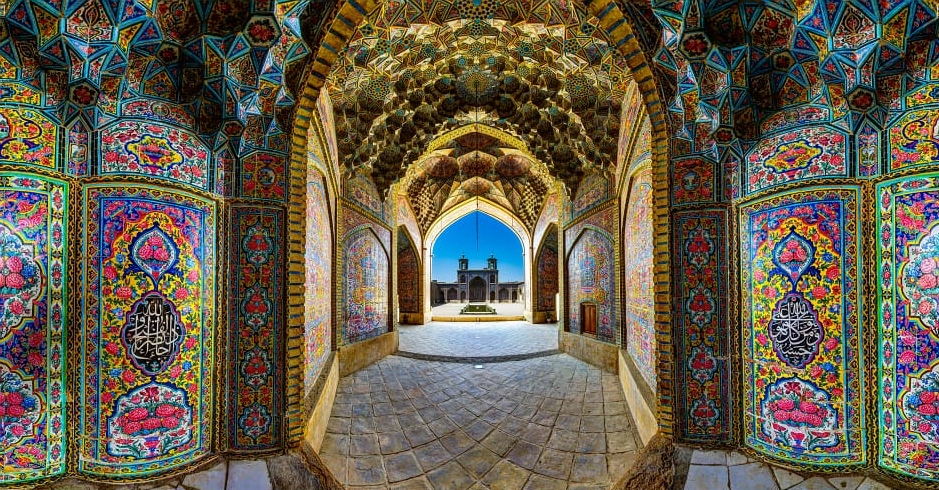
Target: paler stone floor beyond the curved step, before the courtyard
[{"x": 471, "y": 339}]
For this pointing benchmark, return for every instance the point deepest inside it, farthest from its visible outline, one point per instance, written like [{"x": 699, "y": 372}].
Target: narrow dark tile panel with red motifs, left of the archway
[{"x": 255, "y": 337}]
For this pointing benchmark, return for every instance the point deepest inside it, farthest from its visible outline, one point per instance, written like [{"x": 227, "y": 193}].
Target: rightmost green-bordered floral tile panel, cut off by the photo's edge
[{"x": 908, "y": 321}]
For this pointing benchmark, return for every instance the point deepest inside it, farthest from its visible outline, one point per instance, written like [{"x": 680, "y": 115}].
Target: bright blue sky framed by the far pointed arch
[{"x": 494, "y": 238}]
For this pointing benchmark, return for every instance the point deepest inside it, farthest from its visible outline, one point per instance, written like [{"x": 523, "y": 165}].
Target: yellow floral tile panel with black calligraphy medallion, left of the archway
[{"x": 147, "y": 335}]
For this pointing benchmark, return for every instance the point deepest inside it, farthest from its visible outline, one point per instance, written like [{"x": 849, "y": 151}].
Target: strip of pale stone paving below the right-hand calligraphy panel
[{"x": 730, "y": 470}]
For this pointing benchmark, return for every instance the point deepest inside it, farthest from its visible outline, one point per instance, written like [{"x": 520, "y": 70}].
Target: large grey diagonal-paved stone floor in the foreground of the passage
[{"x": 542, "y": 423}]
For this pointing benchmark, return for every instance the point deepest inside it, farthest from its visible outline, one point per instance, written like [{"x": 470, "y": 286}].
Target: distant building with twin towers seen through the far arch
[{"x": 477, "y": 285}]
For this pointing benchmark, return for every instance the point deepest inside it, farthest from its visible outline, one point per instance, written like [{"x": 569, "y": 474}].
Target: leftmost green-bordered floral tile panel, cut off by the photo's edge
[{"x": 33, "y": 283}]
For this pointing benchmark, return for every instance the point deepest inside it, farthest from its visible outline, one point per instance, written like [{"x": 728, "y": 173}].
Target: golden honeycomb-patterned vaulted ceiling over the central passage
[{"x": 541, "y": 71}]
